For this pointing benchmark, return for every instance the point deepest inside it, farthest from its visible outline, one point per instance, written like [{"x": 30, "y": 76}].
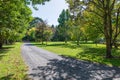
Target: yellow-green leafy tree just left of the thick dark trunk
[{"x": 93, "y": 27}]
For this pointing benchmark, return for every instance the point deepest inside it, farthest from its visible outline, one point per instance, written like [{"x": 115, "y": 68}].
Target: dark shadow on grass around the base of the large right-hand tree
[{"x": 98, "y": 55}]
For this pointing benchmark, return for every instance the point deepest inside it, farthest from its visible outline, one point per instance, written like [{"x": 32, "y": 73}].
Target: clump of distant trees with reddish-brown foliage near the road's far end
[{"x": 39, "y": 31}]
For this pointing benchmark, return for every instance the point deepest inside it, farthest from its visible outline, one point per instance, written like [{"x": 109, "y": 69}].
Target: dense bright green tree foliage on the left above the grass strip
[{"x": 15, "y": 16}]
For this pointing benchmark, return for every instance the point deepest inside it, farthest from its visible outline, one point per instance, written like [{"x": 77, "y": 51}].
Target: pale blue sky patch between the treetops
[{"x": 50, "y": 11}]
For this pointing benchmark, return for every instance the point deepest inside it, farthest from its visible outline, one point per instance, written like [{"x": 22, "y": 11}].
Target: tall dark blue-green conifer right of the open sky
[{"x": 63, "y": 27}]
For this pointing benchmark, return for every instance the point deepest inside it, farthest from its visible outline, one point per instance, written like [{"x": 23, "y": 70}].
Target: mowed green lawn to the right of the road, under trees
[{"x": 89, "y": 52}]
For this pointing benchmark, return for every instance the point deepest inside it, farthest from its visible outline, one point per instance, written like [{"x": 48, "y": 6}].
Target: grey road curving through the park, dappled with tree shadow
[{"x": 45, "y": 65}]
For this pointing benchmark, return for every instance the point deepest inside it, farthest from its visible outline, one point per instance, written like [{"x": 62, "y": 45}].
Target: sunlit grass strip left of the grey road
[{"x": 12, "y": 66}]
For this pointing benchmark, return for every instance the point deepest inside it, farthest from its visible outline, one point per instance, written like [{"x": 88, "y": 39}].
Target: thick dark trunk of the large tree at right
[{"x": 108, "y": 30}]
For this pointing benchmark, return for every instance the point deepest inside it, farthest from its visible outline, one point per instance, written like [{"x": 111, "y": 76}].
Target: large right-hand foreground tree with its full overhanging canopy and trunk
[{"x": 107, "y": 15}]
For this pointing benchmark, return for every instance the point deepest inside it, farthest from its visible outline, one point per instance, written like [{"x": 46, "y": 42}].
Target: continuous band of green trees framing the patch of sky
[{"x": 86, "y": 20}]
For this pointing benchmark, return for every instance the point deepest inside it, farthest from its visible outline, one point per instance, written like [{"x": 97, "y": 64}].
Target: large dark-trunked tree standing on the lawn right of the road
[{"x": 105, "y": 10}]
